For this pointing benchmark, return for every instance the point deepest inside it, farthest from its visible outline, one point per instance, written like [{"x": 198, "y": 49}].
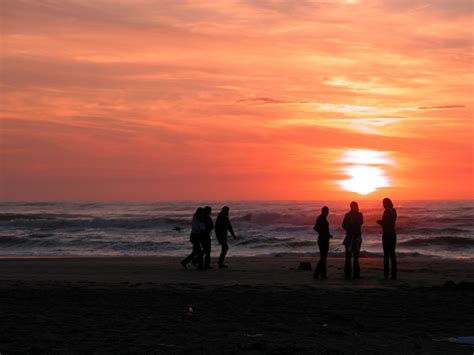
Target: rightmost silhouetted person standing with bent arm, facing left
[{"x": 389, "y": 238}]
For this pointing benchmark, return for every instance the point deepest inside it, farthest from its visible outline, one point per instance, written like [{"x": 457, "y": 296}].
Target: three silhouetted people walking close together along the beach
[{"x": 201, "y": 229}]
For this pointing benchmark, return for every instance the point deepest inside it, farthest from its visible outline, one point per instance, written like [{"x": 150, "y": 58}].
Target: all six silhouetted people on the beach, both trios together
[{"x": 203, "y": 225}]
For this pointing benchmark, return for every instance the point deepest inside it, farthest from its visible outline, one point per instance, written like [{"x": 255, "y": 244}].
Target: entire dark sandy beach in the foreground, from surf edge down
[{"x": 258, "y": 305}]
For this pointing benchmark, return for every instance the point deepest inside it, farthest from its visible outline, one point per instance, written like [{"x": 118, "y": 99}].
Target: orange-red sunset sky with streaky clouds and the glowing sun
[{"x": 248, "y": 99}]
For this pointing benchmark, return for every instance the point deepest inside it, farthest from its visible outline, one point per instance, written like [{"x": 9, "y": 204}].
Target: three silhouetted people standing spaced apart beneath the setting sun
[{"x": 352, "y": 224}]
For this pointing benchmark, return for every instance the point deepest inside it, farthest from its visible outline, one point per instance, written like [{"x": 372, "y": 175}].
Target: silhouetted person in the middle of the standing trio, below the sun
[{"x": 352, "y": 223}]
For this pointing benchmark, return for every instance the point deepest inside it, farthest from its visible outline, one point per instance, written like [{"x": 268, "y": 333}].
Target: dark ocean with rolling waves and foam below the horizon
[{"x": 264, "y": 228}]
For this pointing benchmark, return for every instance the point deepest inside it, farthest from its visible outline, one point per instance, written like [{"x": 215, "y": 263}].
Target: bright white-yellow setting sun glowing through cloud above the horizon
[{"x": 366, "y": 171}]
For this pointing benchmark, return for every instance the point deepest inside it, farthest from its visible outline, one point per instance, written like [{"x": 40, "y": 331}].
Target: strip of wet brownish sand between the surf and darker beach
[{"x": 413, "y": 271}]
